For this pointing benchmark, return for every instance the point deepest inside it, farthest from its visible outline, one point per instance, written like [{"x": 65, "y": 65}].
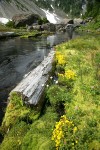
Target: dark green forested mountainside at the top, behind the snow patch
[{"x": 71, "y": 7}]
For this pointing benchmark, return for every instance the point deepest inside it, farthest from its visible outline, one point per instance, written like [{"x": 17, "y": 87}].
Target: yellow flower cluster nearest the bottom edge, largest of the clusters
[{"x": 58, "y": 133}]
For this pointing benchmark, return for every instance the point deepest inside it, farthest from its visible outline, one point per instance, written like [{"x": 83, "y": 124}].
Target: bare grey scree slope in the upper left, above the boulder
[{"x": 8, "y": 8}]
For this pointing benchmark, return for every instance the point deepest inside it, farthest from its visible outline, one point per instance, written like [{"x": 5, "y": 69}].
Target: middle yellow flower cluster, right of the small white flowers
[{"x": 69, "y": 74}]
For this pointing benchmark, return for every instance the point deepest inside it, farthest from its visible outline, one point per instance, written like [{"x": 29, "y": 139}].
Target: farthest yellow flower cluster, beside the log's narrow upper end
[{"x": 60, "y": 58}]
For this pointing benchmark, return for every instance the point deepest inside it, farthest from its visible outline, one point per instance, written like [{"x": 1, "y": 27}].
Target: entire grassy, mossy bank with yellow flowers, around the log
[{"x": 70, "y": 118}]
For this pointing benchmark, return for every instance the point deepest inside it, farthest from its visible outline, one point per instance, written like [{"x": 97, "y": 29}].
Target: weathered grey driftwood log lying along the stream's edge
[{"x": 33, "y": 84}]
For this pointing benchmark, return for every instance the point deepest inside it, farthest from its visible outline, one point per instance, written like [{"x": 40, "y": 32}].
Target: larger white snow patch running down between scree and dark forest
[{"x": 52, "y": 17}]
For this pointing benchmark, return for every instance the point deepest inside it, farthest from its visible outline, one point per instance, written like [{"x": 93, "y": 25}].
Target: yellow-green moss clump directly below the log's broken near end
[{"x": 17, "y": 110}]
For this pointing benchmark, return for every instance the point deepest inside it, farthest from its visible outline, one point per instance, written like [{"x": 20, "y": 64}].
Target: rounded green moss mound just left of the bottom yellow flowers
[{"x": 39, "y": 135}]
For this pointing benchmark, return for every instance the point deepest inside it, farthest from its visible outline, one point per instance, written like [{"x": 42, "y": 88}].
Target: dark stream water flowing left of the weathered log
[{"x": 19, "y": 56}]
